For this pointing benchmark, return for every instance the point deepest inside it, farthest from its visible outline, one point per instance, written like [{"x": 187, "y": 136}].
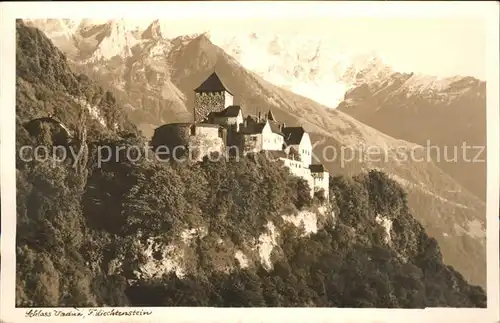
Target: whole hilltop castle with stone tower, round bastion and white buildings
[{"x": 219, "y": 124}]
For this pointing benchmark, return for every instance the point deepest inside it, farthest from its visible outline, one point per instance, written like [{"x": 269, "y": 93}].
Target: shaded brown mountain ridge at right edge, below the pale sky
[{"x": 448, "y": 118}]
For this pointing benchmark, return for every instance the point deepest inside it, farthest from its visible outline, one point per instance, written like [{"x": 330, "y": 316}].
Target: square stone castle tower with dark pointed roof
[{"x": 211, "y": 96}]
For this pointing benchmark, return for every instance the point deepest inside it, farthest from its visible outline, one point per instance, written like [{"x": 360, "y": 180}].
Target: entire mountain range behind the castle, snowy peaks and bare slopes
[{"x": 153, "y": 77}]
